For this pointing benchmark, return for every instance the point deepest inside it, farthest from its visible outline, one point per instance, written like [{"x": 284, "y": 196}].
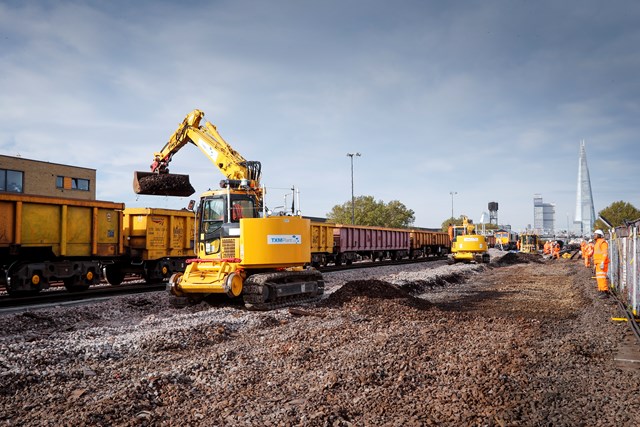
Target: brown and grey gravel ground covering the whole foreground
[{"x": 520, "y": 342}]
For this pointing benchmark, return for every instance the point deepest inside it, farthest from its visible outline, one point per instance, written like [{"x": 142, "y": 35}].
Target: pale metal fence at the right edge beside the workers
[{"x": 624, "y": 271}]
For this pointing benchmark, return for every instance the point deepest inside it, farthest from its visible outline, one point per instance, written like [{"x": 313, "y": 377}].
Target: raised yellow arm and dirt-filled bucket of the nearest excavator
[{"x": 232, "y": 165}]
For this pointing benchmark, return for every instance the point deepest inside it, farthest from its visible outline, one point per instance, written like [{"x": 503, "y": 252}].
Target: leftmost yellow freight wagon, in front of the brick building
[{"x": 45, "y": 239}]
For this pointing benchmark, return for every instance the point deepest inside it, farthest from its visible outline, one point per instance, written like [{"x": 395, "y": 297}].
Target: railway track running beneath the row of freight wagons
[{"x": 58, "y": 295}]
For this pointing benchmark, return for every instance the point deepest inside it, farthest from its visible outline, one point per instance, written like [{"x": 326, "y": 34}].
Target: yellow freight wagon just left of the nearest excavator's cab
[{"x": 157, "y": 243}]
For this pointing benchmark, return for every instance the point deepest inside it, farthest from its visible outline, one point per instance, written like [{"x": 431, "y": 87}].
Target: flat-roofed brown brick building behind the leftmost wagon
[{"x": 25, "y": 176}]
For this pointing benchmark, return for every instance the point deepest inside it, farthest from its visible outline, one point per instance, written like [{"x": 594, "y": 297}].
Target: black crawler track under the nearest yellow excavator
[{"x": 269, "y": 291}]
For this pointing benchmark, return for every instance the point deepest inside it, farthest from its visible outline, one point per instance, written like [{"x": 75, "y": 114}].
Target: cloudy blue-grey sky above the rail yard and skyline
[{"x": 485, "y": 99}]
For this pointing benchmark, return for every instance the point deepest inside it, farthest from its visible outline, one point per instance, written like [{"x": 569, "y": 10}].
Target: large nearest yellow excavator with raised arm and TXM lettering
[{"x": 241, "y": 250}]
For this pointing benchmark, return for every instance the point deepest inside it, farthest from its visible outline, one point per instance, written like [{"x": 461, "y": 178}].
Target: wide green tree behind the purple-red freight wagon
[{"x": 368, "y": 211}]
